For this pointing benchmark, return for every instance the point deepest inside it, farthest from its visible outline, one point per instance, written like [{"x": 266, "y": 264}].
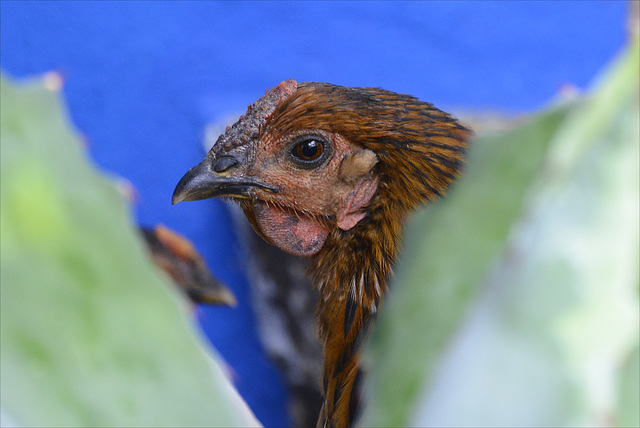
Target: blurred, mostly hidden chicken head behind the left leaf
[{"x": 177, "y": 257}]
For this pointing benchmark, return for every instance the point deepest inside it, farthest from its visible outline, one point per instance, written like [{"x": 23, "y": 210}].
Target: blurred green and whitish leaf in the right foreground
[{"x": 516, "y": 301}]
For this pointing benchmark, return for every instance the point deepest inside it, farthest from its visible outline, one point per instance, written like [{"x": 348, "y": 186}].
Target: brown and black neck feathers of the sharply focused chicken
[{"x": 351, "y": 272}]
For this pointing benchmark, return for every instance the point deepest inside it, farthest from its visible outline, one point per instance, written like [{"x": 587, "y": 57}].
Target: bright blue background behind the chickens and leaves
[{"x": 143, "y": 80}]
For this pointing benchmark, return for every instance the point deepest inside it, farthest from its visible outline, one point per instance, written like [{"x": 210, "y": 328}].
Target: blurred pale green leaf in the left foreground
[{"x": 90, "y": 333}]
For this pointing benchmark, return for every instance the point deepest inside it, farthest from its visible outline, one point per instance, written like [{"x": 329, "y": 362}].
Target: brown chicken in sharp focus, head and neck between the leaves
[{"x": 331, "y": 172}]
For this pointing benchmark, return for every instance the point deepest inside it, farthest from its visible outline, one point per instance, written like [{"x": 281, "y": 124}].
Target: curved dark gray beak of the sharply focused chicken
[{"x": 202, "y": 182}]
